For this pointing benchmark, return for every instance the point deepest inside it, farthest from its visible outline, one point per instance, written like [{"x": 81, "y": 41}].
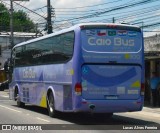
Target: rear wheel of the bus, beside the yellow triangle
[{"x": 51, "y": 106}]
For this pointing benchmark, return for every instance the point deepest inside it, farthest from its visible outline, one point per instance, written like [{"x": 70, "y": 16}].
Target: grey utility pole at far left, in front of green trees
[{"x": 11, "y": 24}]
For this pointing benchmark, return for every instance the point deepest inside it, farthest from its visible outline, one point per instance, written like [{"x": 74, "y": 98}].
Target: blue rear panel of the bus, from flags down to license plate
[{"x": 112, "y": 63}]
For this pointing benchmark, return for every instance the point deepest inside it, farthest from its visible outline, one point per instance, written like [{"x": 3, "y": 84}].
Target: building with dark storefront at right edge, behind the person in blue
[{"x": 152, "y": 64}]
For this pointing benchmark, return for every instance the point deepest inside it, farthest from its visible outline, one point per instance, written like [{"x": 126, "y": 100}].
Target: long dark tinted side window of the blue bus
[{"x": 51, "y": 50}]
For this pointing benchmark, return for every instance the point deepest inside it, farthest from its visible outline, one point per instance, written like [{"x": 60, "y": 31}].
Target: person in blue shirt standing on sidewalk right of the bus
[{"x": 154, "y": 83}]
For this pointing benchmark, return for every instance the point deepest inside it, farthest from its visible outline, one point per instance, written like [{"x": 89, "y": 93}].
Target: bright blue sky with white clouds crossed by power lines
[{"x": 70, "y": 12}]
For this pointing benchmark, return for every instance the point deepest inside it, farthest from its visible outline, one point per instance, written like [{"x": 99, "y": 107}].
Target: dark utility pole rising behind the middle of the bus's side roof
[{"x": 49, "y": 24}]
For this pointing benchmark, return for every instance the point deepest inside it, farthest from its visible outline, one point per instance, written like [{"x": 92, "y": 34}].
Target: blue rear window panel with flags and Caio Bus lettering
[{"x": 111, "y": 40}]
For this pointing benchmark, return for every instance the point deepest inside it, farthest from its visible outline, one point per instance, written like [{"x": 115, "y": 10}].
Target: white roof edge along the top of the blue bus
[{"x": 73, "y": 28}]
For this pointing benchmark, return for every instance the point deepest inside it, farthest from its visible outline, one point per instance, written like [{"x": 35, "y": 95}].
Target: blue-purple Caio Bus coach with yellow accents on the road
[{"x": 89, "y": 67}]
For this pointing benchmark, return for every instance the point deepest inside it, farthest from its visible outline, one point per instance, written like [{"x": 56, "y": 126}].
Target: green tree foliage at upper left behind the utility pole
[{"x": 21, "y": 21}]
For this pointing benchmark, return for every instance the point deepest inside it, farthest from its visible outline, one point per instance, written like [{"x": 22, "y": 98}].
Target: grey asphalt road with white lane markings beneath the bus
[{"x": 11, "y": 114}]
